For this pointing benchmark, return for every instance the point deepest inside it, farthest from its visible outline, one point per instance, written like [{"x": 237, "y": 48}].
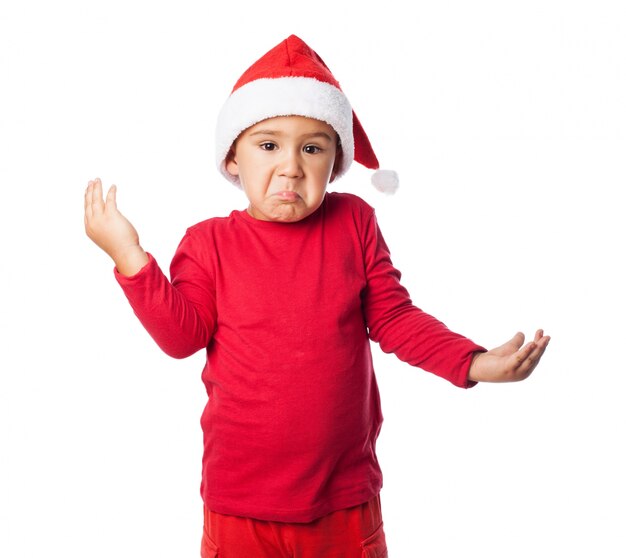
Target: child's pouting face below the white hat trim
[{"x": 284, "y": 165}]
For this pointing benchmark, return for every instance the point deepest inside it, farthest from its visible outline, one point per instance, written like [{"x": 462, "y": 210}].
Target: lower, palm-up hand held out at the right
[{"x": 509, "y": 362}]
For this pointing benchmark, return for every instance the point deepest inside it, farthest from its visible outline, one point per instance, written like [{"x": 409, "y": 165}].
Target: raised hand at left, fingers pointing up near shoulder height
[{"x": 111, "y": 231}]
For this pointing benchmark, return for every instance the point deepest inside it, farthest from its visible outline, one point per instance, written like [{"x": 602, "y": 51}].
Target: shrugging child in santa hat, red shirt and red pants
[{"x": 285, "y": 297}]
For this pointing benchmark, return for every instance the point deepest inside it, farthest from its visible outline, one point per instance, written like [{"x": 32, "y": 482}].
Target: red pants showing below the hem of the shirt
[{"x": 352, "y": 533}]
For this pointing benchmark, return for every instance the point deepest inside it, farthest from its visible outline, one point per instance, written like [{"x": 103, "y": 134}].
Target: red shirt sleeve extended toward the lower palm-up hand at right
[{"x": 400, "y": 327}]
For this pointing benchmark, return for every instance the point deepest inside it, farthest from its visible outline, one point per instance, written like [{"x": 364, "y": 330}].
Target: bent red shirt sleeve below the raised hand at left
[{"x": 179, "y": 315}]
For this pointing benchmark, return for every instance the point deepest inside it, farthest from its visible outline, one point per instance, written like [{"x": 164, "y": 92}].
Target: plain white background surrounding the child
[{"x": 506, "y": 122}]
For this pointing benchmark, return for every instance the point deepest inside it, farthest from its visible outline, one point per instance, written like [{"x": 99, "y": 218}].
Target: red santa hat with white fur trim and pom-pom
[{"x": 291, "y": 79}]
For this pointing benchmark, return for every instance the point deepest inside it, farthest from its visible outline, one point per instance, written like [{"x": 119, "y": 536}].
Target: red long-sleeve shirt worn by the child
[{"x": 285, "y": 312}]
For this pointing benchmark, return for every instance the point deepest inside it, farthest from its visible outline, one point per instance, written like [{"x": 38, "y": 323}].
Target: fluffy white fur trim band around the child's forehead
[{"x": 269, "y": 97}]
